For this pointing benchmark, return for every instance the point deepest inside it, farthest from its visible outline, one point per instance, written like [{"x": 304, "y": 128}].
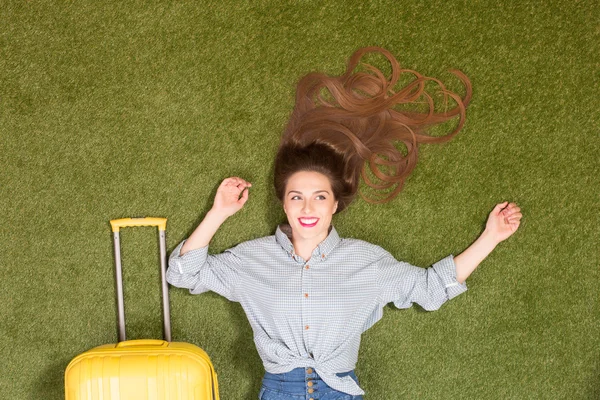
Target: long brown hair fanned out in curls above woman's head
[{"x": 348, "y": 126}]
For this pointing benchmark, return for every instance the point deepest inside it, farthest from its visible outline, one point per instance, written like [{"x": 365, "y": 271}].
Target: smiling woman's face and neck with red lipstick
[{"x": 309, "y": 205}]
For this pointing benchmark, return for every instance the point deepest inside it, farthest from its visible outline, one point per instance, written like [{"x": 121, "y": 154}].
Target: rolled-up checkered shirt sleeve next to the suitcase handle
[{"x": 200, "y": 272}]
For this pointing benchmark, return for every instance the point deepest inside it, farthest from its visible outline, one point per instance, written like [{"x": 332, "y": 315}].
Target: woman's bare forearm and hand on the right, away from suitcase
[{"x": 502, "y": 222}]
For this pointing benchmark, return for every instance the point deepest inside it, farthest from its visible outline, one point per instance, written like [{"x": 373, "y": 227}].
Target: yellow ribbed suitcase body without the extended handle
[{"x": 178, "y": 371}]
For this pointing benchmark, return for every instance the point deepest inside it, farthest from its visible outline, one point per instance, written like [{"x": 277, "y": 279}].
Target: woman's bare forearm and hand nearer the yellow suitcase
[{"x": 227, "y": 202}]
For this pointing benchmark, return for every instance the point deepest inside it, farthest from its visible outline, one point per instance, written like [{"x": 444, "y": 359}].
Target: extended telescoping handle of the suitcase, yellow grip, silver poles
[{"x": 161, "y": 224}]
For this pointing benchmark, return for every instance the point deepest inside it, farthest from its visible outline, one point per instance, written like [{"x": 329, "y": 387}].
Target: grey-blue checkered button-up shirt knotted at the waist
[{"x": 312, "y": 313}]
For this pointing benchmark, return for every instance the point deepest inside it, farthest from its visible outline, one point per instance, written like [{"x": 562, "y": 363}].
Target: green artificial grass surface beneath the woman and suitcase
[{"x": 115, "y": 109}]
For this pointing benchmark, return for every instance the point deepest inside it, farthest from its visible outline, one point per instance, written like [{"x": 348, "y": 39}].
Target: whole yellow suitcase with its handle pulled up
[{"x": 142, "y": 369}]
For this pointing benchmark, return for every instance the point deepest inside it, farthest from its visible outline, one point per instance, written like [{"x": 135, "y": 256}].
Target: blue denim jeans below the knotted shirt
[{"x": 301, "y": 384}]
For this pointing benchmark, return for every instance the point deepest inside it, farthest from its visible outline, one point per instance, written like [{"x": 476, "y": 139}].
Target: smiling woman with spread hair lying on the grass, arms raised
[{"x": 309, "y": 294}]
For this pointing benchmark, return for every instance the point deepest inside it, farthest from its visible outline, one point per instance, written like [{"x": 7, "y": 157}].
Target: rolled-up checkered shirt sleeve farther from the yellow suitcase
[{"x": 405, "y": 284}]
